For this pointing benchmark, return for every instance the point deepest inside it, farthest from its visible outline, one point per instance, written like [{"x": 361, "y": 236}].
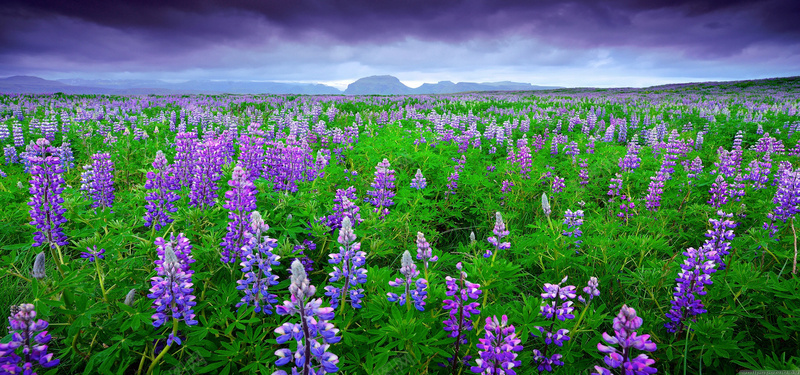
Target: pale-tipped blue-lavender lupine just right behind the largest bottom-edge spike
[{"x": 350, "y": 258}]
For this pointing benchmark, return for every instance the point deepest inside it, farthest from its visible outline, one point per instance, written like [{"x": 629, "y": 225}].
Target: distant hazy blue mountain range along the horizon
[{"x": 374, "y": 85}]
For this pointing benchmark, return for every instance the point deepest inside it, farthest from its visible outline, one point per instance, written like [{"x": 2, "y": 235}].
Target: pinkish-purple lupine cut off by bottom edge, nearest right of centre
[{"x": 497, "y": 349}]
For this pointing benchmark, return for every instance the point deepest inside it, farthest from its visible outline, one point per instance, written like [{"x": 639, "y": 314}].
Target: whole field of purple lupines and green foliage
[{"x": 572, "y": 231}]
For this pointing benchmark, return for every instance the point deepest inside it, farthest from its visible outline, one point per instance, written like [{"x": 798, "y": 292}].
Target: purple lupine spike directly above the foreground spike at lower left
[{"x": 161, "y": 198}]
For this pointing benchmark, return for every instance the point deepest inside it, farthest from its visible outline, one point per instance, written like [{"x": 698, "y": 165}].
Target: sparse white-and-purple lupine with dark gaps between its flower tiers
[{"x": 553, "y": 310}]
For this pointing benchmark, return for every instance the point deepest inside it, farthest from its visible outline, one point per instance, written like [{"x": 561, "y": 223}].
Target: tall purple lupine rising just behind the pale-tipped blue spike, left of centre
[{"x": 241, "y": 201}]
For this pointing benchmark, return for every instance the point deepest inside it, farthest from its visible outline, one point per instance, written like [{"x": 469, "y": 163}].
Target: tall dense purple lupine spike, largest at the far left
[{"x": 47, "y": 183}]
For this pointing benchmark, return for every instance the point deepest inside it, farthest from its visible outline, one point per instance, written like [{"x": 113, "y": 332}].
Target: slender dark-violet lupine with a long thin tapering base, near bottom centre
[{"x": 461, "y": 310}]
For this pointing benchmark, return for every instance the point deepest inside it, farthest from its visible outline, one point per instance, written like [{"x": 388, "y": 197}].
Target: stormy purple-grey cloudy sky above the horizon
[{"x": 550, "y": 42}]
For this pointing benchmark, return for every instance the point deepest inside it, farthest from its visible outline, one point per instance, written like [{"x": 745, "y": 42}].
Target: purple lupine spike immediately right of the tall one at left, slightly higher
[{"x": 206, "y": 173}]
